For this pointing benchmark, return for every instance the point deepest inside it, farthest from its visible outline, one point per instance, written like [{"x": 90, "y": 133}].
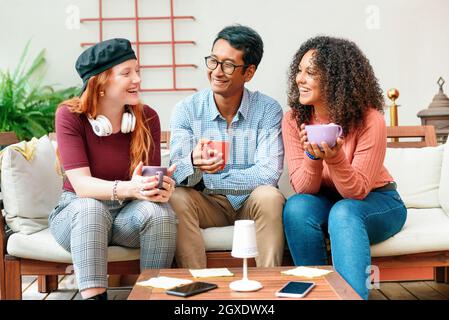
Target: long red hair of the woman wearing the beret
[{"x": 87, "y": 104}]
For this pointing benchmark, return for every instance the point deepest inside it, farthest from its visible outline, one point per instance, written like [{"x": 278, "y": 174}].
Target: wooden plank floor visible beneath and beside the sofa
[{"x": 415, "y": 290}]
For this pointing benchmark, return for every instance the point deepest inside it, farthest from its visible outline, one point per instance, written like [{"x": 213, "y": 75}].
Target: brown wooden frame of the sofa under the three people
[{"x": 13, "y": 268}]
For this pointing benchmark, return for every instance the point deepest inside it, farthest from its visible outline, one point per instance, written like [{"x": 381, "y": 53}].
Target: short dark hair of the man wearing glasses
[{"x": 243, "y": 38}]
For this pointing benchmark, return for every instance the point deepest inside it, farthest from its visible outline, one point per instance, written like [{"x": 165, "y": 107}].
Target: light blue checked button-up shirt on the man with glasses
[{"x": 256, "y": 148}]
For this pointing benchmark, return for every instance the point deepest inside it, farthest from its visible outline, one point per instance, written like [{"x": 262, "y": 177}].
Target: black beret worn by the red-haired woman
[{"x": 102, "y": 56}]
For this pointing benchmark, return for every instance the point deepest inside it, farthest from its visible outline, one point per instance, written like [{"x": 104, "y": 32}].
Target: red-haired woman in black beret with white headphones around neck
[{"x": 104, "y": 138}]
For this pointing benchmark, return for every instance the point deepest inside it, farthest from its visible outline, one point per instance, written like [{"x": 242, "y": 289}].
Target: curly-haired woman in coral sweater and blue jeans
[{"x": 344, "y": 190}]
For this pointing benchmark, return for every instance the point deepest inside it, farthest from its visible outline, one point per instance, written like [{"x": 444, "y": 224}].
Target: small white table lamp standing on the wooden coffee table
[{"x": 244, "y": 246}]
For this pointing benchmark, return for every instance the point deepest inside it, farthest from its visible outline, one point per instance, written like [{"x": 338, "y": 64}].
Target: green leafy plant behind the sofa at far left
[{"x": 28, "y": 107}]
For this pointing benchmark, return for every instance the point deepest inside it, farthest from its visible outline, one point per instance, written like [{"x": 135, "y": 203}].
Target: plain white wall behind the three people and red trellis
[{"x": 407, "y": 41}]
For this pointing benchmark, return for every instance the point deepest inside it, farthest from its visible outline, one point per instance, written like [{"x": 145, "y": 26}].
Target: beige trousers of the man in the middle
[{"x": 197, "y": 210}]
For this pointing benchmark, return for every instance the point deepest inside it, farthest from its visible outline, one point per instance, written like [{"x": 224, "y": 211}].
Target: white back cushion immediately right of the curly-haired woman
[{"x": 417, "y": 172}]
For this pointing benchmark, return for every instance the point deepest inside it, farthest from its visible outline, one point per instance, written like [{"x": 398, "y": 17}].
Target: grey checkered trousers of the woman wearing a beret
[{"x": 85, "y": 227}]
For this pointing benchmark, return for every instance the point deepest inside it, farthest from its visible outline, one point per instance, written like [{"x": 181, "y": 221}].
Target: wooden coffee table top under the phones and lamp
[{"x": 330, "y": 287}]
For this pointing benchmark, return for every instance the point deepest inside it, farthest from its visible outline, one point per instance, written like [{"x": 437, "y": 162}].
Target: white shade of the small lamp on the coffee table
[{"x": 244, "y": 241}]
